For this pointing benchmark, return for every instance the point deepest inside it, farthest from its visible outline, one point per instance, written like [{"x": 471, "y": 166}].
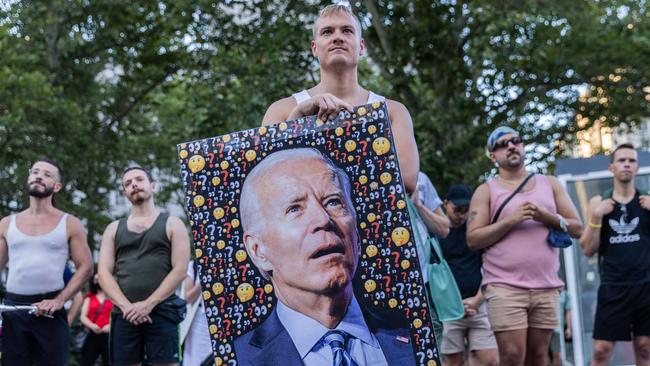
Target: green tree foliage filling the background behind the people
[{"x": 99, "y": 84}]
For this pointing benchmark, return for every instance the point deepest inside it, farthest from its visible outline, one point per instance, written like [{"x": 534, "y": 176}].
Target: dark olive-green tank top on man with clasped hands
[{"x": 142, "y": 260}]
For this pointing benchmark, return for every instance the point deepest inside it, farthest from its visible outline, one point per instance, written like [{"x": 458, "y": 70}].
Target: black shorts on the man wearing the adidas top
[{"x": 622, "y": 311}]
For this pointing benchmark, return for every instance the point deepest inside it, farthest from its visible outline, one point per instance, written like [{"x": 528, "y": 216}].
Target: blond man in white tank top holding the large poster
[{"x": 337, "y": 44}]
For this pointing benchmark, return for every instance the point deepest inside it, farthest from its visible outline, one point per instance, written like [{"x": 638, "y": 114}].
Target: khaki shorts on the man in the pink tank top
[{"x": 516, "y": 308}]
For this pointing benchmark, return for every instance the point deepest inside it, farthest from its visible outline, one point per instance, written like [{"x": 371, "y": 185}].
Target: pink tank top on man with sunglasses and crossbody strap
[{"x": 522, "y": 258}]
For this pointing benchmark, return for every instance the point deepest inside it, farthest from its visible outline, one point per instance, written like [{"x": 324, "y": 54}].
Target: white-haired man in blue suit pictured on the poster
[{"x": 300, "y": 231}]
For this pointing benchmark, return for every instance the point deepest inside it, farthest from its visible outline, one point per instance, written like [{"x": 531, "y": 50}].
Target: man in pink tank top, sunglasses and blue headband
[{"x": 520, "y": 269}]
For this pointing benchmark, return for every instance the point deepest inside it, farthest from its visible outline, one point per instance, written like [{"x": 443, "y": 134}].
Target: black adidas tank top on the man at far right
[{"x": 625, "y": 244}]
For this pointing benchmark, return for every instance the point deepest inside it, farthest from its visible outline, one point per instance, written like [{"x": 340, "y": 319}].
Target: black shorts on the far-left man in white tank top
[{"x": 28, "y": 339}]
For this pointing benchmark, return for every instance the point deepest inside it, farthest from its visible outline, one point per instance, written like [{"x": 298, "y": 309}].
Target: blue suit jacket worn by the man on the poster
[{"x": 271, "y": 345}]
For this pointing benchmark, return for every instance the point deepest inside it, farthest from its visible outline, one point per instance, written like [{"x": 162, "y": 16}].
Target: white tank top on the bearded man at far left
[{"x": 36, "y": 263}]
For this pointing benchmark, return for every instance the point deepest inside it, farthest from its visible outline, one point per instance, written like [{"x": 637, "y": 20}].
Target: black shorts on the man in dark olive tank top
[{"x": 155, "y": 342}]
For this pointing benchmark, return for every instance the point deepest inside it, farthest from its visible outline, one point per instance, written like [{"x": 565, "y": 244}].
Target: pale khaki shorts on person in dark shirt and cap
[{"x": 475, "y": 328}]
